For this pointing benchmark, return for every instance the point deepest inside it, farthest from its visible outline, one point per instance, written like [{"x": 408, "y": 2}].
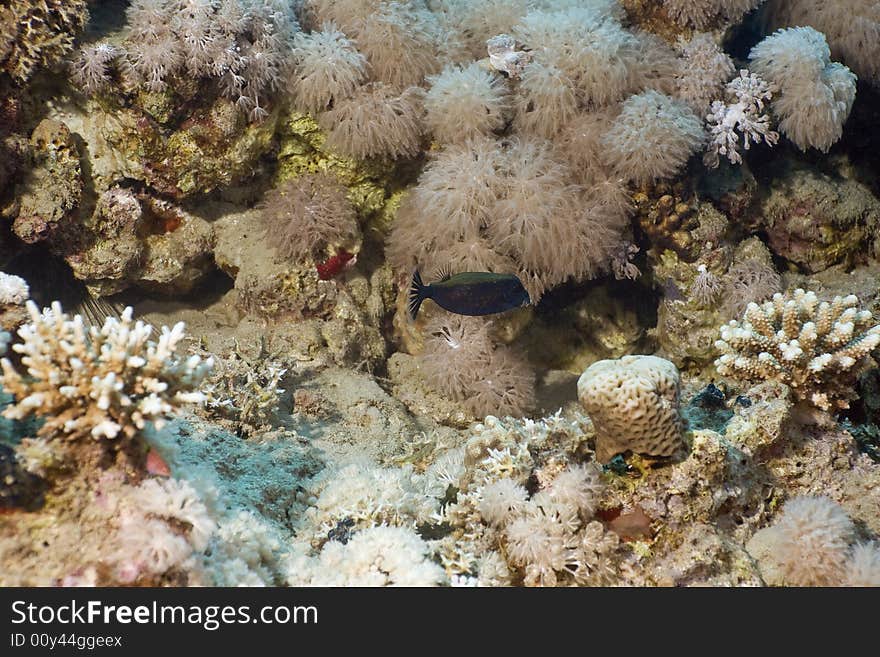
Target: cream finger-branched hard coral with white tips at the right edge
[{"x": 816, "y": 348}]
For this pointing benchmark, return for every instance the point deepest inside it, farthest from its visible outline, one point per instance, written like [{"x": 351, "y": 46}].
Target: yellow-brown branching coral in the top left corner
[{"x": 38, "y": 33}]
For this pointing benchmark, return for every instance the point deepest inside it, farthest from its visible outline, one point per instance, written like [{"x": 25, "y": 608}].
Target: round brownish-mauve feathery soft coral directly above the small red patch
[{"x": 310, "y": 217}]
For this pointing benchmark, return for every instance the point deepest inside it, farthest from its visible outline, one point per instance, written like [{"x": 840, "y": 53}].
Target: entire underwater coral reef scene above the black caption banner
[{"x": 440, "y": 293}]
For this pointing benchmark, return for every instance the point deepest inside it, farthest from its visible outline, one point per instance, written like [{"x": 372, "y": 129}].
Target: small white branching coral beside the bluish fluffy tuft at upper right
[{"x": 744, "y": 115}]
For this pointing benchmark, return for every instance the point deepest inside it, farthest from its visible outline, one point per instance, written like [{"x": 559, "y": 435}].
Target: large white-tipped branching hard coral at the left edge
[{"x": 101, "y": 382}]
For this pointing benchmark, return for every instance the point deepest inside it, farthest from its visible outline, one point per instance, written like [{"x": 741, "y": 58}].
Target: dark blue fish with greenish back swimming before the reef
[{"x": 471, "y": 293}]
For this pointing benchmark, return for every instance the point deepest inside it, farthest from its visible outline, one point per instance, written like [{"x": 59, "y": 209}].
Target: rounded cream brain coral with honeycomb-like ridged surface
[{"x": 633, "y": 403}]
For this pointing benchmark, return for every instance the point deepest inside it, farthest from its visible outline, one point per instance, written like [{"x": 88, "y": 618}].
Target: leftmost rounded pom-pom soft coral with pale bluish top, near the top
[{"x": 328, "y": 68}]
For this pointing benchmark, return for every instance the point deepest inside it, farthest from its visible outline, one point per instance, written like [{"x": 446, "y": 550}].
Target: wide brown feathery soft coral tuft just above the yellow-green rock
[{"x": 376, "y": 121}]
